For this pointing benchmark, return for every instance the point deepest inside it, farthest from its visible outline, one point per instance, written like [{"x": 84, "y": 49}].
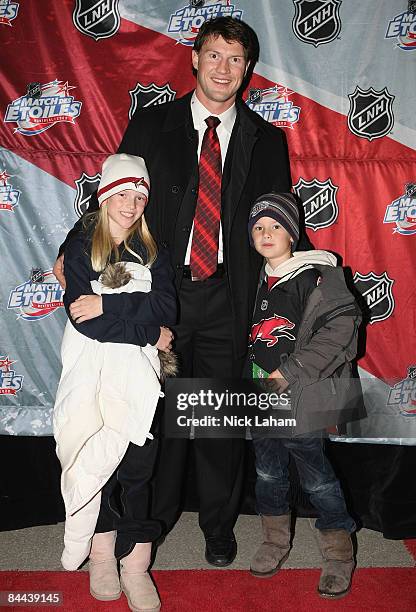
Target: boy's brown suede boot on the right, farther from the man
[{"x": 336, "y": 549}]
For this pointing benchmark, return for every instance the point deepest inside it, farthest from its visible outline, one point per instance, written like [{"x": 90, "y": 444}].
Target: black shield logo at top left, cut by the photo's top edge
[{"x": 96, "y": 18}]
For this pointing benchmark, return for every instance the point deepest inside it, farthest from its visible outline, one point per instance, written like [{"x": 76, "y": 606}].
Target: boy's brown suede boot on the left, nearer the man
[{"x": 274, "y": 551}]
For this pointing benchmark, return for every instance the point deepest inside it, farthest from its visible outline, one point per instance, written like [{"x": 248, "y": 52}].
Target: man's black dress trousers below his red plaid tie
[{"x": 204, "y": 345}]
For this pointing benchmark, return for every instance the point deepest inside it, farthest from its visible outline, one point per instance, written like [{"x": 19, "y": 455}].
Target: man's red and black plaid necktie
[{"x": 204, "y": 250}]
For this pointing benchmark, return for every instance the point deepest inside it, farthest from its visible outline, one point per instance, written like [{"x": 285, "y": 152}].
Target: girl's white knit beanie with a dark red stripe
[{"x": 122, "y": 171}]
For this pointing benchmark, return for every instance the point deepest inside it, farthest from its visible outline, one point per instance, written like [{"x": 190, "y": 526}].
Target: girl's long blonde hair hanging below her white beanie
[{"x": 103, "y": 246}]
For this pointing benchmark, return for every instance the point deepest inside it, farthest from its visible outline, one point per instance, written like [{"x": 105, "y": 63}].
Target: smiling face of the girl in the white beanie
[{"x": 124, "y": 209}]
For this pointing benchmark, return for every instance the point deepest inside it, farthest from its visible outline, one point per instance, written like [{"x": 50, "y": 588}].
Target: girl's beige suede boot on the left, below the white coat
[{"x": 104, "y": 580}]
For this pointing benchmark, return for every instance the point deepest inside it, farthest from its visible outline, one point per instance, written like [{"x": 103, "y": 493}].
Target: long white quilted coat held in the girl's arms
[{"x": 106, "y": 398}]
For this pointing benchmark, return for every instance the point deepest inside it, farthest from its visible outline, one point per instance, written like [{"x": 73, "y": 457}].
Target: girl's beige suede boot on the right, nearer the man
[{"x": 136, "y": 582}]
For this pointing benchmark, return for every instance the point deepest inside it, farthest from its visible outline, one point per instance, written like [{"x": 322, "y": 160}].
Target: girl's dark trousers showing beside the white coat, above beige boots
[{"x": 125, "y": 500}]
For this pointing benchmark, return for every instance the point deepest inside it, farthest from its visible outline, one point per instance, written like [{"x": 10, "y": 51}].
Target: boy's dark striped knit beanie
[{"x": 279, "y": 206}]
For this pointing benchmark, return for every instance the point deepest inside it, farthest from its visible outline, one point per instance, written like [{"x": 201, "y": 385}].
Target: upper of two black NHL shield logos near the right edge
[{"x": 371, "y": 113}]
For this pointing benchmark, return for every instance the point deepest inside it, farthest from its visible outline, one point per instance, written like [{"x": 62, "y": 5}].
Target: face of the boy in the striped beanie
[{"x": 271, "y": 240}]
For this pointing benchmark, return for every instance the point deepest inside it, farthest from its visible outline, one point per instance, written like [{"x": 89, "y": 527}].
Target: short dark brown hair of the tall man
[{"x": 231, "y": 30}]
